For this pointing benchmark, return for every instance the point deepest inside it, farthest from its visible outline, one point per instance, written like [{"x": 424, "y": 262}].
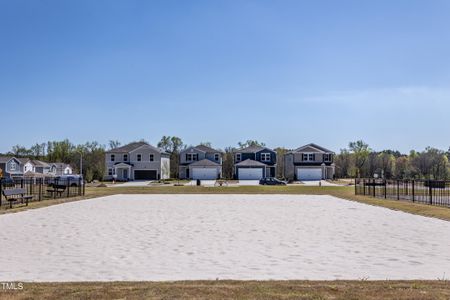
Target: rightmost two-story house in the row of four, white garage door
[{"x": 309, "y": 162}]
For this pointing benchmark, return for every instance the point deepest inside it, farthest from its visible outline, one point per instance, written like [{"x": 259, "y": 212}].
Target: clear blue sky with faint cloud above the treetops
[{"x": 283, "y": 72}]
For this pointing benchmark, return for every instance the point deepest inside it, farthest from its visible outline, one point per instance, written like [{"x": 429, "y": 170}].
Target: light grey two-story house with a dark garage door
[{"x": 137, "y": 161}]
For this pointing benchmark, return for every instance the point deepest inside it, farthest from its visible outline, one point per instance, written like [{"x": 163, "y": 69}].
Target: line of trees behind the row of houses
[{"x": 358, "y": 160}]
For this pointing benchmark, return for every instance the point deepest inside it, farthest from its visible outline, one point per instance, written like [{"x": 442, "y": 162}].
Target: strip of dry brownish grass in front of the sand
[{"x": 345, "y": 290}]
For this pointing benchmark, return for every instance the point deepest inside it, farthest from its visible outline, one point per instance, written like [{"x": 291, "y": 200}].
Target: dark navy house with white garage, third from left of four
[{"x": 254, "y": 163}]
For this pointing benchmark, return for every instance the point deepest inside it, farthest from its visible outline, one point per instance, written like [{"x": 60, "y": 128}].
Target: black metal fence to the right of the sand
[{"x": 431, "y": 192}]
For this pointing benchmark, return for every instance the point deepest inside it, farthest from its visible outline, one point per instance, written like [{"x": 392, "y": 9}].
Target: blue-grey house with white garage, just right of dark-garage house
[{"x": 200, "y": 162}]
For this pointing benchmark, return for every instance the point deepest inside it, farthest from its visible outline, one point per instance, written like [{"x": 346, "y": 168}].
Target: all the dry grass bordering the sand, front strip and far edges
[{"x": 439, "y": 289}]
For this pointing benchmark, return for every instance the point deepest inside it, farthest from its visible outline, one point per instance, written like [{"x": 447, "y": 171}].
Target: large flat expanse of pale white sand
[{"x": 181, "y": 237}]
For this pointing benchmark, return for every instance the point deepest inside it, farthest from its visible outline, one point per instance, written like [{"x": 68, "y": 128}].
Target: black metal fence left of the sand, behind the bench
[{"x": 44, "y": 188}]
